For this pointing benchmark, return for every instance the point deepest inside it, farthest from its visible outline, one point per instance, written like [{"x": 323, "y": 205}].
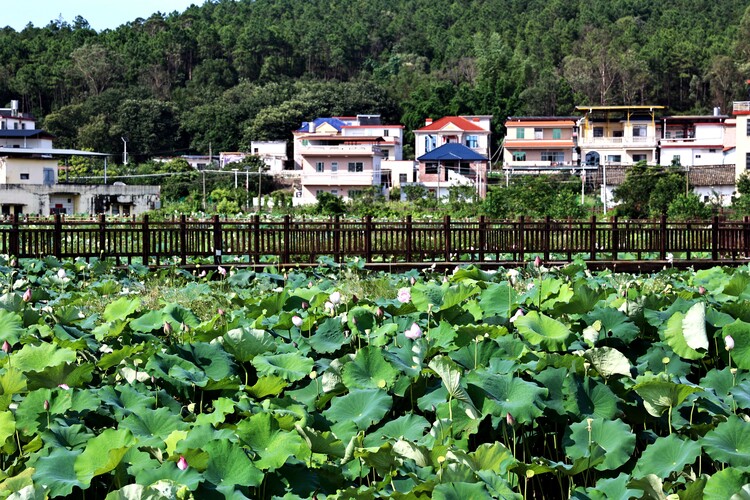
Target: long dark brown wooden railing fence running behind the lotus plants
[{"x": 292, "y": 242}]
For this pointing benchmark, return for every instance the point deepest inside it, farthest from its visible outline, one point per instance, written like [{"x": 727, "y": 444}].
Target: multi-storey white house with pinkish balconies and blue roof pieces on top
[{"x": 344, "y": 156}]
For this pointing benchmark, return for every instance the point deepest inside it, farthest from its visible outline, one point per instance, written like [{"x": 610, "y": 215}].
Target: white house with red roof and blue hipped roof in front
[{"x": 452, "y": 151}]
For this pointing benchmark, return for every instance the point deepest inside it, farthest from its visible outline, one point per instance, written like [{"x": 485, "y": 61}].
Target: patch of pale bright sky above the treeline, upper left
[{"x": 101, "y": 14}]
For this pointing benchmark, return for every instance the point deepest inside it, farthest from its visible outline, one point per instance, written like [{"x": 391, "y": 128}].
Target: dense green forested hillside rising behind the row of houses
[{"x": 227, "y": 72}]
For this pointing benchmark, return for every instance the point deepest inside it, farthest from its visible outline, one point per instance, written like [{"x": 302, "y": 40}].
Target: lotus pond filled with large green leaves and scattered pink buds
[{"x": 336, "y": 382}]
